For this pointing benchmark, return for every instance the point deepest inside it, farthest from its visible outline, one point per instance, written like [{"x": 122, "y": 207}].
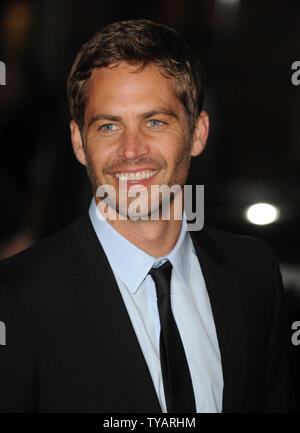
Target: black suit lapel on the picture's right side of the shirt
[{"x": 224, "y": 294}]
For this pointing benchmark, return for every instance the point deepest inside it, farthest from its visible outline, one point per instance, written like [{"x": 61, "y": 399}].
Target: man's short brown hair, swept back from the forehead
[{"x": 139, "y": 42}]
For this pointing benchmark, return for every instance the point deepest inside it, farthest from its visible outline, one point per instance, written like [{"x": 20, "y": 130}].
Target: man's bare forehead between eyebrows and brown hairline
[{"x": 125, "y": 86}]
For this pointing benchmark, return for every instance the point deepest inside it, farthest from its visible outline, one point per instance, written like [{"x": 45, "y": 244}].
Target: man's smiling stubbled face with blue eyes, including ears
[{"x": 135, "y": 129}]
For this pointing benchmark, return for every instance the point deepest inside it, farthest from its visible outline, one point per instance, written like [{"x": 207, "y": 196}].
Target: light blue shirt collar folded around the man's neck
[{"x": 132, "y": 264}]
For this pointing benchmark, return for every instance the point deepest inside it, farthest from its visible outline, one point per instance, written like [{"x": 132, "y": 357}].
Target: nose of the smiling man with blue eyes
[{"x": 133, "y": 145}]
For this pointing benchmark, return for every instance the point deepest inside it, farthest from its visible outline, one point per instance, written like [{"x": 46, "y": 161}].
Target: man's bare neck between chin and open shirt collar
[{"x": 155, "y": 237}]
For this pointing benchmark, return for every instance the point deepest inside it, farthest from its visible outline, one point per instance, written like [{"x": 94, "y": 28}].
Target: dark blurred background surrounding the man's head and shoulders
[{"x": 253, "y": 152}]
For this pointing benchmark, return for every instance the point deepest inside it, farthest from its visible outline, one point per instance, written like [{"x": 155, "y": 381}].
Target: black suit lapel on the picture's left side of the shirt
[{"x": 112, "y": 323}]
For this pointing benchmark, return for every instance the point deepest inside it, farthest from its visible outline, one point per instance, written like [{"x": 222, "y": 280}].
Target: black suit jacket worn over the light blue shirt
[{"x": 70, "y": 345}]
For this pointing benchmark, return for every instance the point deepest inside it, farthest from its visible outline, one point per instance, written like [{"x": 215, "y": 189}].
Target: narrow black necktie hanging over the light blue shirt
[{"x": 177, "y": 380}]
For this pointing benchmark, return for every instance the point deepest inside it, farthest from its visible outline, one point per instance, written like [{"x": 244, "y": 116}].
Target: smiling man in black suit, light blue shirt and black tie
[{"x": 119, "y": 313}]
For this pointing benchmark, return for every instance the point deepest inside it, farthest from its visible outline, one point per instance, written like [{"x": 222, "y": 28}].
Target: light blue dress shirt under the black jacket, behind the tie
[{"x": 189, "y": 301}]
